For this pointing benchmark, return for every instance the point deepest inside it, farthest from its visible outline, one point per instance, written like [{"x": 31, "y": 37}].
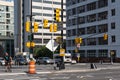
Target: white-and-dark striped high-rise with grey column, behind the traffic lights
[{"x": 41, "y": 9}]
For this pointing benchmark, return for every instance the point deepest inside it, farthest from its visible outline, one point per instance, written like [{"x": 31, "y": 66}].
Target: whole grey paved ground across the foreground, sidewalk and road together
[{"x": 105, "y": 72}]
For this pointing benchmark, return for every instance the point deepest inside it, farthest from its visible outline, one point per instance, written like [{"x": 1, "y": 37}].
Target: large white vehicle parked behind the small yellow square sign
[{"x": 67, "y": 58}]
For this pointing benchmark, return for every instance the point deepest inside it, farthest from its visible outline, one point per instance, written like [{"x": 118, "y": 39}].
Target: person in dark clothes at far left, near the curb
[{"x": 7, "y": 59}]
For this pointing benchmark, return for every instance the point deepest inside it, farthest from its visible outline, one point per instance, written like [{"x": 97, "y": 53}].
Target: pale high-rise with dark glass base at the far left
[{"x": 6, "y": 27}]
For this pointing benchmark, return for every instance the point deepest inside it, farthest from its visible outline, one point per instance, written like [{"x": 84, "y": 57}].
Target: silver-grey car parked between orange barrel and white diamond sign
[{"x": 45, "y": 60}]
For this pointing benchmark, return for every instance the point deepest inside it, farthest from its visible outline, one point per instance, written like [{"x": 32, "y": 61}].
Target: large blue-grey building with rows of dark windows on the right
[{"x": 90, "y": 20}]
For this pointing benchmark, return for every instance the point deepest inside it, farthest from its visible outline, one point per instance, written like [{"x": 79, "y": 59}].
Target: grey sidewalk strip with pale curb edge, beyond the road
[{"x": 81, "y": 67}]
